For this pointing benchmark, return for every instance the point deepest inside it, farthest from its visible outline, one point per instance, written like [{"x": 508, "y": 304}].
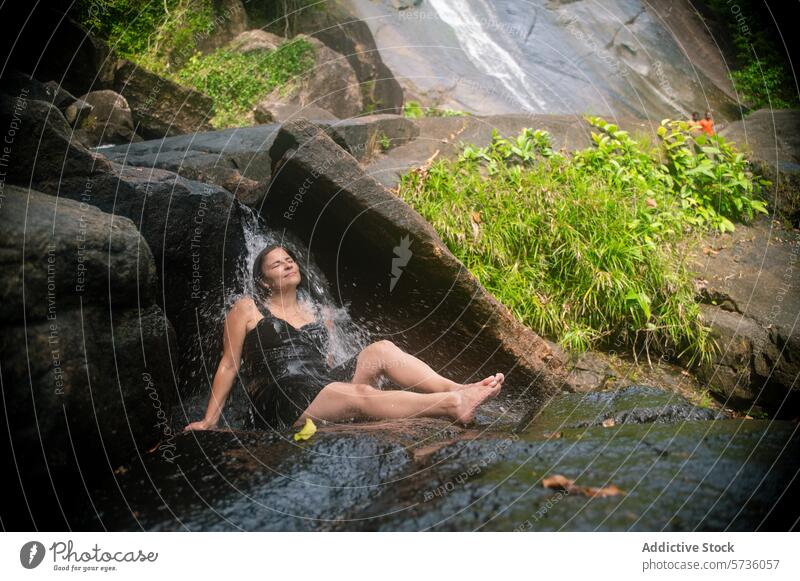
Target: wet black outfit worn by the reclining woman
[{"x": 285, "y": 368}]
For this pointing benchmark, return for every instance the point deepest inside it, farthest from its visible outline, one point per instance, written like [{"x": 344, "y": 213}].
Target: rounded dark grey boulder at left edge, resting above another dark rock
[{"x": 83, "y": 259}]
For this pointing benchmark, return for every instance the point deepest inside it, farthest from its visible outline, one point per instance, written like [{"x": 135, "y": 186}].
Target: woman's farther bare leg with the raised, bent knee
[{"x": 386, "y": 358}]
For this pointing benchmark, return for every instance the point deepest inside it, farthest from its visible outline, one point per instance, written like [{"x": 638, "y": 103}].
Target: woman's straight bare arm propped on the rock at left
[{"x": 233, "y": 334}]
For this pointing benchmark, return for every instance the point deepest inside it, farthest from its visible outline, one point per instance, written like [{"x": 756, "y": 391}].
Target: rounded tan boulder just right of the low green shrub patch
[{"x": 331, "y": 84}]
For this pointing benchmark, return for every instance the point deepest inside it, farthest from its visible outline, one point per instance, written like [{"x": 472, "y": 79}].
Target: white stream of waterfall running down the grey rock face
[{"x": 491, "y": 58}]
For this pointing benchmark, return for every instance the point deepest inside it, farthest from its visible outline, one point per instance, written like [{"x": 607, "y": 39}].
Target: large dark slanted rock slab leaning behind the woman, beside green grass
[{"x": 402, "y": 280}]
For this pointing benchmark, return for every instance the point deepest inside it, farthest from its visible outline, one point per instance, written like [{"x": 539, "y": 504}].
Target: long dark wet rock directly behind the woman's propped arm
[{"x": 194, "y": 230}]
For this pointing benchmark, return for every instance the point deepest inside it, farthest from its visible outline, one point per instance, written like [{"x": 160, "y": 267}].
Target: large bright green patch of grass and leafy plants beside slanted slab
[{"x": 590, "y": 247}]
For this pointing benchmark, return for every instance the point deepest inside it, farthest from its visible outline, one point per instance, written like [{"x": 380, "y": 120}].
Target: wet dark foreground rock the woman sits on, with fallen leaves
[{"x": 679, "y": 467}]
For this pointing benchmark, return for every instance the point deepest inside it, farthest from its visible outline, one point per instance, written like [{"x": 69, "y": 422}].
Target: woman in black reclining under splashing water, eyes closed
[{"x": 283, "y": 342}]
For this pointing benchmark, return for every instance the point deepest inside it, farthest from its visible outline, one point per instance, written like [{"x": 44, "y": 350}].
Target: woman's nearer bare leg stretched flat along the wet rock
[{"x": 340, "y": 401}]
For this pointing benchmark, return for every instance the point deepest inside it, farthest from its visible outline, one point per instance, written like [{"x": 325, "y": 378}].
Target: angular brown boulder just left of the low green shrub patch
[{"x": 161, "y": 107}]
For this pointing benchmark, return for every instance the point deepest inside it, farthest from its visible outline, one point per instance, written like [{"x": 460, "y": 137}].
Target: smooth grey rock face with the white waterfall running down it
[{"x": 554, "y": 57}]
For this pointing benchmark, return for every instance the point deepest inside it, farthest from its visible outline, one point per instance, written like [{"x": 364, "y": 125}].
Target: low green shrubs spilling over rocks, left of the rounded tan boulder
[{"x": 236, "y": 81}]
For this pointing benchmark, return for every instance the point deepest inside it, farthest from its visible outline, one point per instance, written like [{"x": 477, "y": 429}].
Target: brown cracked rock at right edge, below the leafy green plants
[{"x": 747, "y": 279}]
